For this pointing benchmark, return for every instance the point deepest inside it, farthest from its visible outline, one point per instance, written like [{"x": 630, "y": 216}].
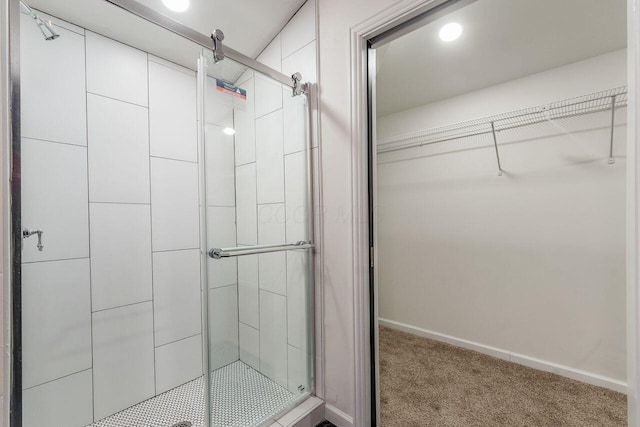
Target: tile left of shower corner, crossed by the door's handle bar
[{"x": 221, "y": 227}]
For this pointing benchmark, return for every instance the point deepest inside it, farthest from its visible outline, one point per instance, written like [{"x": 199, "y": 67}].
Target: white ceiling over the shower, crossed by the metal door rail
[{"x": 249, "y": 25}]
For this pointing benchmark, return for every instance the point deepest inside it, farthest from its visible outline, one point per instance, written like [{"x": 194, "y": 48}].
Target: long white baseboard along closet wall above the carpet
[{"x": 521, "y": 359}]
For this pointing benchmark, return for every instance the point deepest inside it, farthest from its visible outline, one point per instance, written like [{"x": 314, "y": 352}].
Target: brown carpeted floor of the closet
[{"x": 428, "y": 383}]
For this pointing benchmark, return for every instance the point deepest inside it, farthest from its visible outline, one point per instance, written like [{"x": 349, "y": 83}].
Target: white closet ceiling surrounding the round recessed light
[{"x": 502, "y": 40}]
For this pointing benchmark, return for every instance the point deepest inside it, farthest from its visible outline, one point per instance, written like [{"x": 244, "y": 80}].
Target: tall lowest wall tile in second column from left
[{"x": 123, "y": 358}]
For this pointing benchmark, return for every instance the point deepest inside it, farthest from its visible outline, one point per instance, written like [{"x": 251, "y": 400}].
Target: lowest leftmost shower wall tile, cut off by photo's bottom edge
[{"x": 65, "y": 402}]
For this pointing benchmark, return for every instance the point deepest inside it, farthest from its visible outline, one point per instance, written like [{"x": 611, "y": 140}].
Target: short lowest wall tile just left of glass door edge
[{"x": 178, "y": 363}]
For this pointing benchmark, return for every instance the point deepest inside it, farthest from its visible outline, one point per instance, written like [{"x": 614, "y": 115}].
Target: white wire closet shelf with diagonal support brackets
[{"x": 607, "y": 100}]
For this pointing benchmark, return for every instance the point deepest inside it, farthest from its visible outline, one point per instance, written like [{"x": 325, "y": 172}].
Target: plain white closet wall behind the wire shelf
[{"x": 531, "y": 263}]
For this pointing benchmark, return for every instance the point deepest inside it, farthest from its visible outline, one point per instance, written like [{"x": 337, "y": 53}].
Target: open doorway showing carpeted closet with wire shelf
[{"x": 498, "y": 172}]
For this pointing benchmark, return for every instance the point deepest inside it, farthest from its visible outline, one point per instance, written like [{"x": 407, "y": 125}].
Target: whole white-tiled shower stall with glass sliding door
[{"x": 160, "y": 235}]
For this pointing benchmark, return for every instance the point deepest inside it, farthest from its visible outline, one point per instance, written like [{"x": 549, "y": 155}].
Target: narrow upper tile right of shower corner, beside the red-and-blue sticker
[{"x": 245, "y": 126}]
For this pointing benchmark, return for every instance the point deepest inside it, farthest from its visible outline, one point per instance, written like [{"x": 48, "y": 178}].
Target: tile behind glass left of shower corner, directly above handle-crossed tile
[{"x": 220, "y": 167}]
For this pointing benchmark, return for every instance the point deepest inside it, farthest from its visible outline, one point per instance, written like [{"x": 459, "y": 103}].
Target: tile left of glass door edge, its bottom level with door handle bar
[{"x": 174, "y": 197}]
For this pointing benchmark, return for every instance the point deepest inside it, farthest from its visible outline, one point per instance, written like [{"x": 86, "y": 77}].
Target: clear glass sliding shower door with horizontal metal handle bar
[{"x": 258, "y": 242}]
